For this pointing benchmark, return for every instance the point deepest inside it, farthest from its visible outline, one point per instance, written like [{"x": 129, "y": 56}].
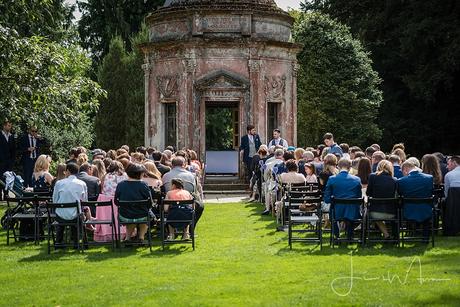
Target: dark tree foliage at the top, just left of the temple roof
[{"x": 103, "y": 19}]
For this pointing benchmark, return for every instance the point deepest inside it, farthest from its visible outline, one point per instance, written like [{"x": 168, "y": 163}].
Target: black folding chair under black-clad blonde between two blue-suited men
[{"x": 373, "y": 205}]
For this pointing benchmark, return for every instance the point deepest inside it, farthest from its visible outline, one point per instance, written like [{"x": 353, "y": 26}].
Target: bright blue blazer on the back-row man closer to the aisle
[{"x": 344, "y": 185}]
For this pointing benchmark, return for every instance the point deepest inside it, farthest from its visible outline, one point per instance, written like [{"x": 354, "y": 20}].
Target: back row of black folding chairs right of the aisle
[{"x": 303, "y": 212}]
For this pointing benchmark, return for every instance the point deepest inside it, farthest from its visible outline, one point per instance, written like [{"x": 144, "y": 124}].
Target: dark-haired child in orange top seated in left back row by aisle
[{"x": 177, "y": 192}]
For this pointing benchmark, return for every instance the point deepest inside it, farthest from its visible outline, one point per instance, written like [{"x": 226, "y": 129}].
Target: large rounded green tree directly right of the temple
[{"x": 337, "y": 87}]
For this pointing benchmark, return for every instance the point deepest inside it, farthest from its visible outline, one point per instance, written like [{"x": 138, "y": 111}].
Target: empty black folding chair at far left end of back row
[{"x": 24, "y": 211}]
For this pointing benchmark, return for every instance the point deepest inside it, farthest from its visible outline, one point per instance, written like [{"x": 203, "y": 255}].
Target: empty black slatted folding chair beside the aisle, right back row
[{"x": 310, "y": 218}]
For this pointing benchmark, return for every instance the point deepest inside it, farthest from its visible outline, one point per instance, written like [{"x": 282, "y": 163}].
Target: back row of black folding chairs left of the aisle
[{"x": 39, "y": 210}]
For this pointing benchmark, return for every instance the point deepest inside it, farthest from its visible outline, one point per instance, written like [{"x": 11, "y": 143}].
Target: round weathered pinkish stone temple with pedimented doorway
[{"x": 209, "y": 56}]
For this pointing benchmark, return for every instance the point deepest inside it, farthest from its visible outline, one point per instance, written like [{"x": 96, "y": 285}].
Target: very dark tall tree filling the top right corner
[{"x": 414, "y": 46}]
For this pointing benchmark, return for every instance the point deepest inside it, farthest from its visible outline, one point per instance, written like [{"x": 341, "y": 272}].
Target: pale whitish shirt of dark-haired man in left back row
[{"x": 69, "y": 190}]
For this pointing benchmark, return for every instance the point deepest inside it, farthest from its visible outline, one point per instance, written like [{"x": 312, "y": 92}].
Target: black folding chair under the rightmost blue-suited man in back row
[{"x": 409, "y": 229}]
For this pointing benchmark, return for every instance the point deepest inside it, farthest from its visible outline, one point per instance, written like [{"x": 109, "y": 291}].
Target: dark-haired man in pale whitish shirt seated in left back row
[{"x": 68, "y": 190}]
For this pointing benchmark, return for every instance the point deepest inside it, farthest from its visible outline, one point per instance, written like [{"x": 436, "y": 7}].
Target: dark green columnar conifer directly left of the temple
[{"x": 120, "y": 119}]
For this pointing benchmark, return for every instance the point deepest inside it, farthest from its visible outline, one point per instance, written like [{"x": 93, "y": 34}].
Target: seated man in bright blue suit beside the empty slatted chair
[{"x": 344, "y": 185}]
